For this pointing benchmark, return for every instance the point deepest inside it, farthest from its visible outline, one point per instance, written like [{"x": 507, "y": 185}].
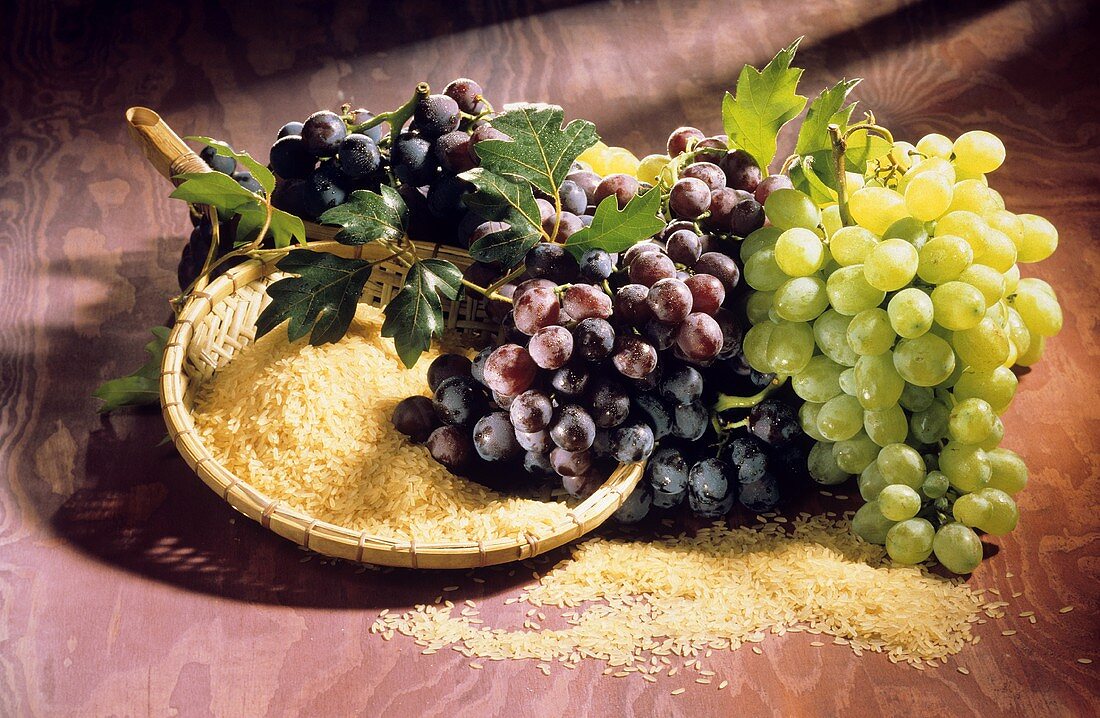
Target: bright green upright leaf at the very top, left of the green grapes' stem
[{"x": 766, "y": 101}]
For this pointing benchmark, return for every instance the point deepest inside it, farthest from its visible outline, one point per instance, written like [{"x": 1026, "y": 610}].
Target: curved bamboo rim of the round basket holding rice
[{"x": 325, "y": 537}]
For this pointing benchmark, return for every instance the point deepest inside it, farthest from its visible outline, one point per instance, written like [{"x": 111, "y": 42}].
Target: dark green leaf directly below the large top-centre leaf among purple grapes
[{"x": 501, "y": 200}]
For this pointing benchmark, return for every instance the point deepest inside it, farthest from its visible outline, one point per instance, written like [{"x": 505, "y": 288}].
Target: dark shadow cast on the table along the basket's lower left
[{"x": 144, "y": 511}]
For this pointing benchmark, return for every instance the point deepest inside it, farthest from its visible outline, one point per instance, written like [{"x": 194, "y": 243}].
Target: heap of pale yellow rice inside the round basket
[{"x": 310, "y": 426}]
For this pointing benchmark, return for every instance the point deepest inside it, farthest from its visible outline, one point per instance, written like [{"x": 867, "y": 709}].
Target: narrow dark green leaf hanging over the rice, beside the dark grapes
[{"x": 416, "y": 314}]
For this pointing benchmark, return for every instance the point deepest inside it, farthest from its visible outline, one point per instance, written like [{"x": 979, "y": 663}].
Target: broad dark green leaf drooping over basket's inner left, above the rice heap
[{"x": 320, "y": 302}]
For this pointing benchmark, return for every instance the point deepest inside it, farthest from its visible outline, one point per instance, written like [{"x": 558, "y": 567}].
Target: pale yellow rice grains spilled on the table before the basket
[{"x": 724, "y": 588}]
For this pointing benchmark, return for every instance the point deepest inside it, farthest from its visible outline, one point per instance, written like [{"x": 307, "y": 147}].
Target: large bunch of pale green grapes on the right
[{"x": 898, "y": 313}]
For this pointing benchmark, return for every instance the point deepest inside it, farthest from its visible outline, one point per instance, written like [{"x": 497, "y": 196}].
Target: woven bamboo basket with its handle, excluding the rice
[{"x": 219, "y": 321}]
